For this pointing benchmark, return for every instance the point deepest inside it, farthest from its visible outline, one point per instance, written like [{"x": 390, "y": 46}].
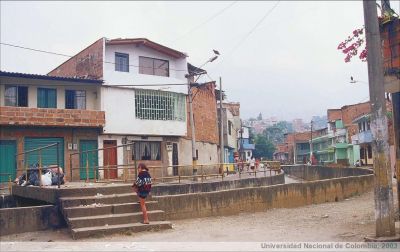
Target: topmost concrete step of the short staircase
[{"x": 99, "y": 199}]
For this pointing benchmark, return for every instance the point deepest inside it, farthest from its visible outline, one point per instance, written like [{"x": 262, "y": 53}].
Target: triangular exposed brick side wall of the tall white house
[{"x": 86, "y": 64}]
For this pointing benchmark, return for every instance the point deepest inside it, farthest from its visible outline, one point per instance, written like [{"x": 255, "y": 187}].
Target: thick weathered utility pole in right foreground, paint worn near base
[{"x": 384, "y": 212}]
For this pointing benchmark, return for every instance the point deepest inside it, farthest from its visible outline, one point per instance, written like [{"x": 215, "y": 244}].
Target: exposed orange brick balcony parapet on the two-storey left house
[{"x": 51, "y": 117}]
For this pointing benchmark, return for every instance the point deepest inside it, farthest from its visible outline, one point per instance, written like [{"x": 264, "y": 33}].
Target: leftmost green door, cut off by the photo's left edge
[{"x": 8, "y": 165}]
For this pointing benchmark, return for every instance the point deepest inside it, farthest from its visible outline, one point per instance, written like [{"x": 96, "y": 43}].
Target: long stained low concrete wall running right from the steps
[{"x": 262, "y": 198}]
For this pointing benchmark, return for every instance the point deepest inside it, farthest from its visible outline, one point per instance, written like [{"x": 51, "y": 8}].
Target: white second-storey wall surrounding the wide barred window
[{"x": 119, "y": 105}]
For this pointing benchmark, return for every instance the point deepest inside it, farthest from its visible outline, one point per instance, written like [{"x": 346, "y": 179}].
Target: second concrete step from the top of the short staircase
[{"x": 99, "y": 209}]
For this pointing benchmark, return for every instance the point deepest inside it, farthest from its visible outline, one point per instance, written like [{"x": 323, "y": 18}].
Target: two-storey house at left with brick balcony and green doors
[{"x": 39, "y": 110}]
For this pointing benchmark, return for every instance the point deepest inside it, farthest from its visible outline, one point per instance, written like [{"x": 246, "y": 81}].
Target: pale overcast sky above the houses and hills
[{"x": 287, "y": 67}]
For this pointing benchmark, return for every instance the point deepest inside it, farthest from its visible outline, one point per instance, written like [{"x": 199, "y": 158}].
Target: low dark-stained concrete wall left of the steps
[{"x": 29, "y": 219}]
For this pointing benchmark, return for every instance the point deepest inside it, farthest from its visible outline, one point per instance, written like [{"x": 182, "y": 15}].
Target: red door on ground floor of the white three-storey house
[{"x": 110, "y": 159}]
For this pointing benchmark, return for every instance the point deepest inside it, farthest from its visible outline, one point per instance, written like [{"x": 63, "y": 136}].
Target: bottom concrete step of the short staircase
[{"x": 99, "y": 231}]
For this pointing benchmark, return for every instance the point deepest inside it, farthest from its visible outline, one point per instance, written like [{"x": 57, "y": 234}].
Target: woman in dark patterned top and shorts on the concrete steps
[{"x": 142, "y": 187}]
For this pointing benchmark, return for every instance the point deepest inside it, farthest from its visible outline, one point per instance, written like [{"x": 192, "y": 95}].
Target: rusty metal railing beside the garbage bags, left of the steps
[{"x": 39, "y": 161}]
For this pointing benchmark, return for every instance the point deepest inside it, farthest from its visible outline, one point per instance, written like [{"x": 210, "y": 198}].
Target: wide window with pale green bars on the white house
[{"x": 159, "y": 105}]
